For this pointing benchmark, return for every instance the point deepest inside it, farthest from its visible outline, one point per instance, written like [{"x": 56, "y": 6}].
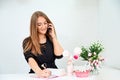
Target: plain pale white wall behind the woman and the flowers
[{"x": 77, "y": 23}]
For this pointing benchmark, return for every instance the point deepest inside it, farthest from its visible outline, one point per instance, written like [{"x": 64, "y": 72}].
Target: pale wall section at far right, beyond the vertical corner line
[{"x": 109, "y": 30}]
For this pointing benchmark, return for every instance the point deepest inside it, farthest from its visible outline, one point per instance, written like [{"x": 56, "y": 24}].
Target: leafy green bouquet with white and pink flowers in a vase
[{"x": 92, "y": 55}]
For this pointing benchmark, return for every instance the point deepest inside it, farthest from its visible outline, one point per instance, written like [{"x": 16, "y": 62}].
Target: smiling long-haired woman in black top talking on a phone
[{"x": 41, "y": 48}]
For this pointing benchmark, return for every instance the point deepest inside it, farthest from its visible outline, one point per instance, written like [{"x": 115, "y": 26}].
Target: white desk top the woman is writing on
[{"x": 105, "y": 74}]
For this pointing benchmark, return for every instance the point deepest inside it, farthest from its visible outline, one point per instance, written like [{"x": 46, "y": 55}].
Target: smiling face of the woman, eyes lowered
[{"x": 42, "y": 25}]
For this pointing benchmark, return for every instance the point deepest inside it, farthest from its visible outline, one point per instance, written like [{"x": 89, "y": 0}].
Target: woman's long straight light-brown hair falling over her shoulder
[{"x": 32, "y": 42}]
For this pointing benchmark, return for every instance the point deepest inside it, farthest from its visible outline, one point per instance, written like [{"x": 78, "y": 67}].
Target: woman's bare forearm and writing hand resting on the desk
[{"x": 40, "y": 73}]
